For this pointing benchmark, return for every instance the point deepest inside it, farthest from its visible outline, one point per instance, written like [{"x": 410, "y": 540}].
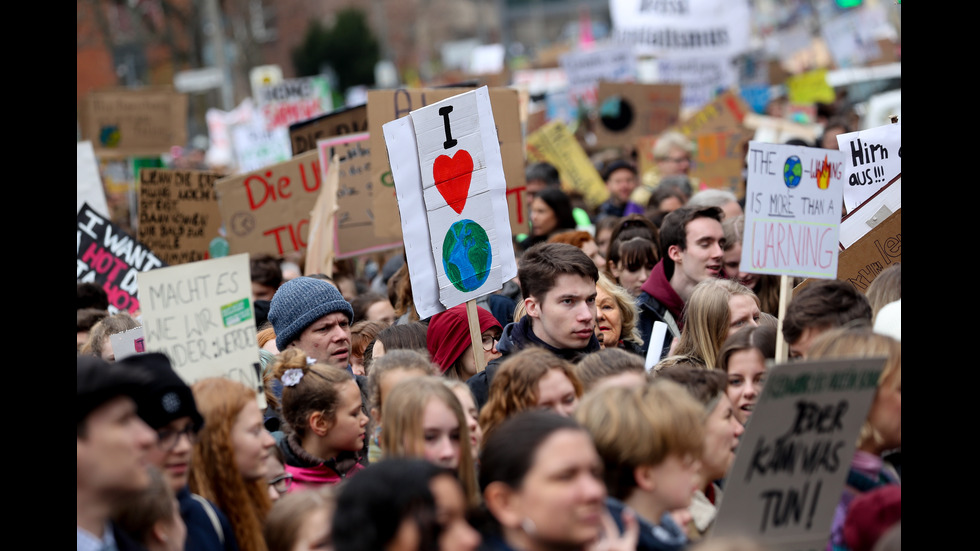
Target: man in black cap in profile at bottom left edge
[{"x": 112, "y": 444}]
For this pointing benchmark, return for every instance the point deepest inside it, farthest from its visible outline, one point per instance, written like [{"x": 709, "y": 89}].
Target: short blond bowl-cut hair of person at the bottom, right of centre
[{"x": 635, "y": 427}]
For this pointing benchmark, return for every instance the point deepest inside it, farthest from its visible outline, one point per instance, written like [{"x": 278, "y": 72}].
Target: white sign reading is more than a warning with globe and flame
[{"x": 792, "y": 210}]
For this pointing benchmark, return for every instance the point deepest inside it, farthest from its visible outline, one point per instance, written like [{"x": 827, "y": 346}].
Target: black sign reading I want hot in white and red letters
[{"x": 111, "y": 258}]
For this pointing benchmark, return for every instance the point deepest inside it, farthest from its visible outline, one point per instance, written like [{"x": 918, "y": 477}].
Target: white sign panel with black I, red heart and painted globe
[{"x": 456, "y": 197}]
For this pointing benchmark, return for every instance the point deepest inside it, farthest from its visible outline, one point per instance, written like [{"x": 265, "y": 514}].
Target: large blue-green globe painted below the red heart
[{"x": 466, "y": 255}]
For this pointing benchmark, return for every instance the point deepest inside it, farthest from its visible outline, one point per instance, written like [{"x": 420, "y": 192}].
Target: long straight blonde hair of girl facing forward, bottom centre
[{"x": 403, "y": 433}]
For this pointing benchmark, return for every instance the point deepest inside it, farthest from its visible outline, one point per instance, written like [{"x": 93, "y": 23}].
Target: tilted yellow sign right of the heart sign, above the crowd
[{"x": 554, "y": 143}]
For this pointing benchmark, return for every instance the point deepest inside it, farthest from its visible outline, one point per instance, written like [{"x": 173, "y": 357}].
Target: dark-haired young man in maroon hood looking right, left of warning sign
[{"x": 691, "y": 240}]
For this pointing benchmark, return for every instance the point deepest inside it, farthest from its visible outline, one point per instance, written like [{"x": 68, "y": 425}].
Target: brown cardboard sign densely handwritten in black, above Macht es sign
[{"x": 178, "y": 213}]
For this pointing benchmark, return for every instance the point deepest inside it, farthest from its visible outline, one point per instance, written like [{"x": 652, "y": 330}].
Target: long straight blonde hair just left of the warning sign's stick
[{"x": 707, "y": 319}]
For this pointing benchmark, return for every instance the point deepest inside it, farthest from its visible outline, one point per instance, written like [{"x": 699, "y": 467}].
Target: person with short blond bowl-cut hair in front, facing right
[{"x": 650, "y": 439}]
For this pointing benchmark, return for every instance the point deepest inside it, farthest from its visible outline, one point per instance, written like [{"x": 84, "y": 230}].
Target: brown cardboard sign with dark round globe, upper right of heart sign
[{"x": 642, "y": 110}]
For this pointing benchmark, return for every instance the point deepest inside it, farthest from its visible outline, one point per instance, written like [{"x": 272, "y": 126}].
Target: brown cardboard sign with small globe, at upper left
[{"x": 140, "y": 122}]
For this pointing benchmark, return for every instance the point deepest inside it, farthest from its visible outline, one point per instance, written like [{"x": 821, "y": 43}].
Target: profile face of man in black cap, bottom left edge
[{"x": 113, "y": 455}]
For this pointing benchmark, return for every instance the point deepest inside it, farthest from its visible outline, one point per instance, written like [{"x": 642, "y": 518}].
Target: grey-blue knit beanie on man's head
[{"x": 301, "y": 301}]
